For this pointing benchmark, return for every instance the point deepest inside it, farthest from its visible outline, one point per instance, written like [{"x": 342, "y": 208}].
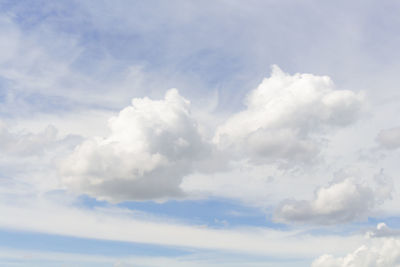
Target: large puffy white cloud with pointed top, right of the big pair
[{"x": 286, "y": 115}]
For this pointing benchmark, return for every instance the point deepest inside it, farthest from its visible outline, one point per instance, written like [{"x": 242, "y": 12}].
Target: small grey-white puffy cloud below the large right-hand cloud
[{"x": 340, "y": 202}]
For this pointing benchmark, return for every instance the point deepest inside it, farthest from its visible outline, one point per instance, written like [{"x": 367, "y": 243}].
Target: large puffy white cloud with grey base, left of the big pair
[{"x": 152, "y": 144}]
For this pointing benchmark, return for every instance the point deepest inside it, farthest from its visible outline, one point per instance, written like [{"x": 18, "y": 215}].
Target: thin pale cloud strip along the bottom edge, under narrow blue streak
[{"x": 50, "y": 258}]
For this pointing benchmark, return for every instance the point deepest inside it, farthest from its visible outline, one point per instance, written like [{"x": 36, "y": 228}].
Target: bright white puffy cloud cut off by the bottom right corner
[{"x": 384, "y": 253}]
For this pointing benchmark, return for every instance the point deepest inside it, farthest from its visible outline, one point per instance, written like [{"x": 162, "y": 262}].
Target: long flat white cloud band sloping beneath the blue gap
[{"x": 111, "y": 223}]
